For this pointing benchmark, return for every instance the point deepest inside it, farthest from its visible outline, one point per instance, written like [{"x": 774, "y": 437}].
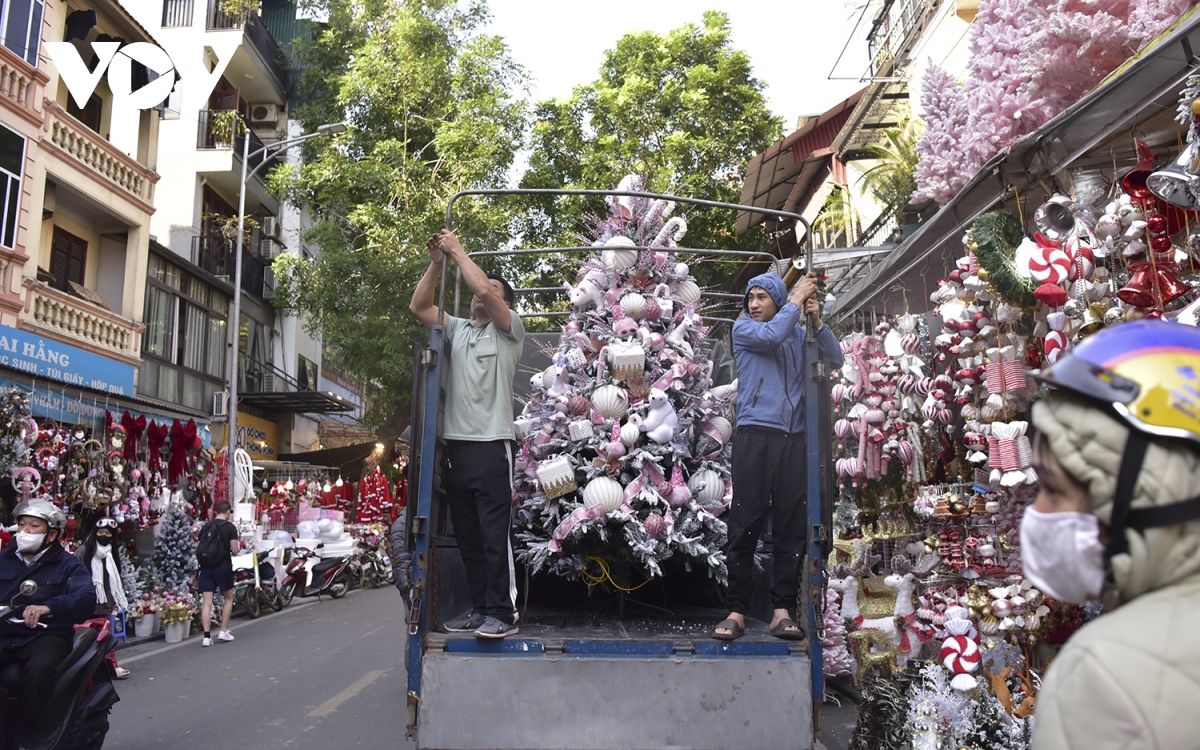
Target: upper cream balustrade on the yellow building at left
[{"x": 103, "y": 160}]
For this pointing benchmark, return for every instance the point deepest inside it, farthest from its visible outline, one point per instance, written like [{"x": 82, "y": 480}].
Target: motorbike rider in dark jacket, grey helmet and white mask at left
[{"x": 65, "y": 597}]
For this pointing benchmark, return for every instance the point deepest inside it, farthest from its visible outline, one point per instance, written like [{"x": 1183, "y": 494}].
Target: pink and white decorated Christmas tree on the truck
[{"x": 625, "y": 458}]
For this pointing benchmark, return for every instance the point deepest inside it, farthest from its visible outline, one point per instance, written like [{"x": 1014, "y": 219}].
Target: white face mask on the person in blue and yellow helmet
[{"x": 1063, "y": 555}]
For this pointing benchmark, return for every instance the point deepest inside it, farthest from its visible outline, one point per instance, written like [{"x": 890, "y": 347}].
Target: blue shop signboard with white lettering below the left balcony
[{"x": 46, "y": 358}]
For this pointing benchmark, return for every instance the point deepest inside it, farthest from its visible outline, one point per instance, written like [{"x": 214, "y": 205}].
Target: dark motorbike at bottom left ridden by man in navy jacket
[{"x": 77, "y": 713}]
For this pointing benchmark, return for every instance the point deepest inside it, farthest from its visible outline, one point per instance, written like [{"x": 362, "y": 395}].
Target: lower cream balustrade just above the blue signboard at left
[{"x": 75, "y": 321}]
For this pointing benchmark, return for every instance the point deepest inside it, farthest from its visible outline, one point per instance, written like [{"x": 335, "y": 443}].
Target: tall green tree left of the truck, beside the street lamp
[{"x": 430, "y": 106}]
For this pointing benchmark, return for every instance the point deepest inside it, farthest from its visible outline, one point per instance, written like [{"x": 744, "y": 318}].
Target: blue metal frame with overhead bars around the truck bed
[{"x": 428, "y": 392}]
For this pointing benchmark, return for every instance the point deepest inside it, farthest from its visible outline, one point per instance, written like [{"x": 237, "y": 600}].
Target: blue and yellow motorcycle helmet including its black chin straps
[{"x": 1148, "y": 375}]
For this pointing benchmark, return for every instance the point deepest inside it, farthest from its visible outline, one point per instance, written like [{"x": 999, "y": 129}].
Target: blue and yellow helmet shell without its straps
[{"x": 1148, "y": 371}]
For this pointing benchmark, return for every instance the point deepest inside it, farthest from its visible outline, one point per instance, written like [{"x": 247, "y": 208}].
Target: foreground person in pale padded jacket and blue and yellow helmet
[{"x": 1118, "y": 519}]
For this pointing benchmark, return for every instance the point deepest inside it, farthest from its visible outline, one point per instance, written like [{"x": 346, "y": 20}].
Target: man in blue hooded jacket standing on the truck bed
[{"x": 769, "y": 446}]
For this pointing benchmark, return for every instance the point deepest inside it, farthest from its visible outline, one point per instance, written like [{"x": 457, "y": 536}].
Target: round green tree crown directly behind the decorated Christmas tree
[{"x": 683, "y": 110}]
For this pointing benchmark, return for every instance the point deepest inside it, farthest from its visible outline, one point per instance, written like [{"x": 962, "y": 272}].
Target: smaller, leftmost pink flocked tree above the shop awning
[{"x": 940, "y": 173}]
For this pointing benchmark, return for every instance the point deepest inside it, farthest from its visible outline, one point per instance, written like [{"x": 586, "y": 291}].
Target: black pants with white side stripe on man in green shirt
[{"x": 478, "y": 481}]
